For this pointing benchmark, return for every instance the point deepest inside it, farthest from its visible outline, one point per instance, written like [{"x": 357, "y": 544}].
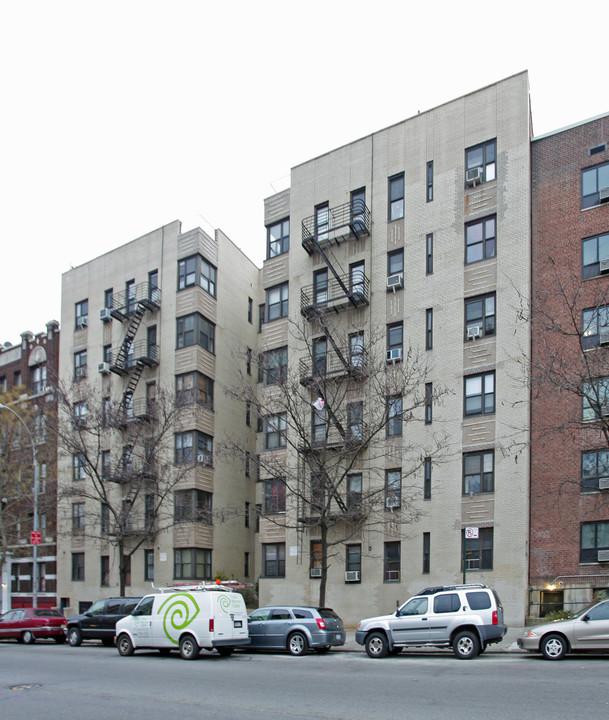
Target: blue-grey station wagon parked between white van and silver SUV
[{"x": 295, "y": 628}]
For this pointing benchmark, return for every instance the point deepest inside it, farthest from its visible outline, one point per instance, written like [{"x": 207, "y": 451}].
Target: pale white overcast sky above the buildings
[{"x": 119, "y": 117}]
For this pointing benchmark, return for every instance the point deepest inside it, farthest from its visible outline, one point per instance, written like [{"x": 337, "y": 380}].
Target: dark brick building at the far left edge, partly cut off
[{"x": 28, "y": 371}]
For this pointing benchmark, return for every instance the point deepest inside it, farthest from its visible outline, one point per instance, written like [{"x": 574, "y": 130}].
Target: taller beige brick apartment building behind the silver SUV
[{"x": 408, "y": 247}]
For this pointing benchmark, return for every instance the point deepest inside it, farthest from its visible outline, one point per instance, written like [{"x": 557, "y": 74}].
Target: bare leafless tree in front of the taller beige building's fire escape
[{"x": 327, "y": 424}]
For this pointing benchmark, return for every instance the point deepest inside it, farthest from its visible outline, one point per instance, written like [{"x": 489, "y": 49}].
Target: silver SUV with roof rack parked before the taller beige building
[{"x": 464, "y": 617}]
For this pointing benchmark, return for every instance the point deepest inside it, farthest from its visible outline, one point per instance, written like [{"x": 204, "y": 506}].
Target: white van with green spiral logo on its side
[{"x": 185, "y": 619}]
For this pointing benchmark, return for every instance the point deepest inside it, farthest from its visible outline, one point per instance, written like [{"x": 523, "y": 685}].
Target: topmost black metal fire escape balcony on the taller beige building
[{"x": 345, "y": 222}]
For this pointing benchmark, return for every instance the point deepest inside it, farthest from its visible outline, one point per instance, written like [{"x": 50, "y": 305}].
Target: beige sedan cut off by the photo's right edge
[{"x": 586, "y": 630}]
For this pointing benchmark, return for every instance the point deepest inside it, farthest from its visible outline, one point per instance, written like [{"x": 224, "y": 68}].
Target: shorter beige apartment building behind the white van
[{"x": 154, "y": 331}]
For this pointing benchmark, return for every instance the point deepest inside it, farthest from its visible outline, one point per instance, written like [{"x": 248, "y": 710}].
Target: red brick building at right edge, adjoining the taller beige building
[{"x": 569, "y": 532}]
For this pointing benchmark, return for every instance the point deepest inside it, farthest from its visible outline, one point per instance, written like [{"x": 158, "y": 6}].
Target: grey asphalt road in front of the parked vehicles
[{"x": 94, "y": 683}]
